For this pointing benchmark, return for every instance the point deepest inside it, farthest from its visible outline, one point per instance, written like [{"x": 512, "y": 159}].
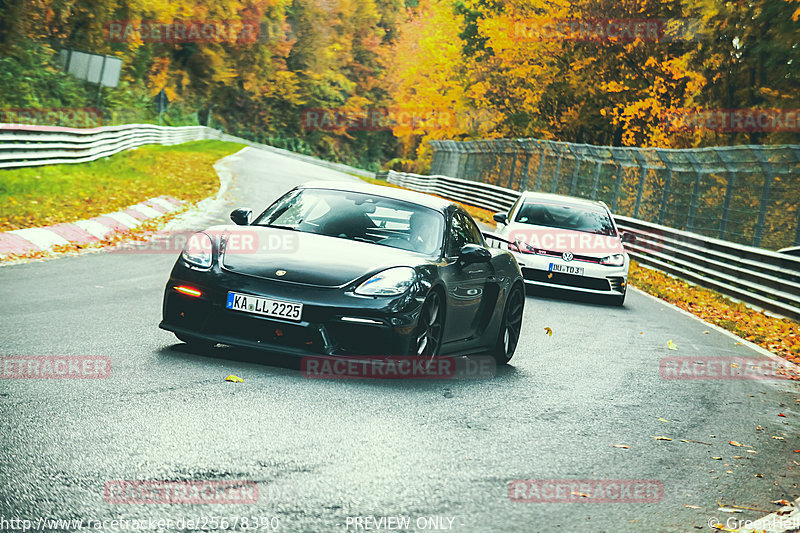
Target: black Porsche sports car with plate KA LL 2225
[{"x": 348, "y": 269}]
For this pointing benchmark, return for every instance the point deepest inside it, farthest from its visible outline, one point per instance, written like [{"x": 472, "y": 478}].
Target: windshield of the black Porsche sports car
[{"x": 360, "y": 217}]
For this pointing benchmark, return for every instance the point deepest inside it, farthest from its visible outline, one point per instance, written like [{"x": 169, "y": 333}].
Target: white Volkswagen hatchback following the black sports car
[{"x": 567, "y": 243}]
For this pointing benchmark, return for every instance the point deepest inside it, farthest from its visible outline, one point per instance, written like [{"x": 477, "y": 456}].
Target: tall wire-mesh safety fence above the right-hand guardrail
[{"x": 746, "y": 194}]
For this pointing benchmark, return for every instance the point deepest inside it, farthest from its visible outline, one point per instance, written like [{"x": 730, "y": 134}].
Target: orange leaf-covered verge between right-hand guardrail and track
[{"x": 778, "y": 335}]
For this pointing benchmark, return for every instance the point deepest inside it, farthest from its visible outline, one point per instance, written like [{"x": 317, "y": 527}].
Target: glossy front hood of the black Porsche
[{"x": 307, "y": 258}]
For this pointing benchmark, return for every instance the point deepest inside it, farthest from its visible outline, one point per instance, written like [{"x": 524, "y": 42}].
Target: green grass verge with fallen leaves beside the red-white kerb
[{"x": 38, "y": 196}]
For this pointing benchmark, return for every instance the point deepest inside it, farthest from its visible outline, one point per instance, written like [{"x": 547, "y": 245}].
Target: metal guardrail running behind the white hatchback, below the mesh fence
[{"x": 767, "y": 279}]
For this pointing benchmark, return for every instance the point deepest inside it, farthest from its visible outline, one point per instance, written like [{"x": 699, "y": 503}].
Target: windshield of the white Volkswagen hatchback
[{"x": 573, "y": 217}]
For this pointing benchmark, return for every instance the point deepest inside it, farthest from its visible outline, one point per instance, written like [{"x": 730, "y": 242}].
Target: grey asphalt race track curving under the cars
[{"x": 324, "y": 452}]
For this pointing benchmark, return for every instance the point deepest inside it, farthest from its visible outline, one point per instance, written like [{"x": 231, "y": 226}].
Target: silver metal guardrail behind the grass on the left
[{"x": 27, "y": 146}]
